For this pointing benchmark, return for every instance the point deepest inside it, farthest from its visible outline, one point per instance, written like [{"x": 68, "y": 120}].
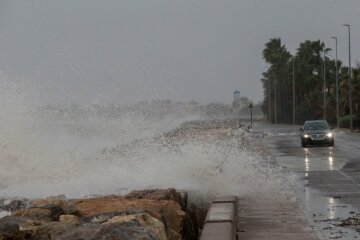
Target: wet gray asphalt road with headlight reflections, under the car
[{"x": 326, "y": 179}]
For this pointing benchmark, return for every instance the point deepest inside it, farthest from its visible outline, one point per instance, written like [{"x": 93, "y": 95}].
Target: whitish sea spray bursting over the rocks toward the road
[{"x": 82, "y": 150}]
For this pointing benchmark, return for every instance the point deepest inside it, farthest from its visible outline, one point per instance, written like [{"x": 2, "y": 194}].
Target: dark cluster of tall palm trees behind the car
[{"x": 309, "y": 83}]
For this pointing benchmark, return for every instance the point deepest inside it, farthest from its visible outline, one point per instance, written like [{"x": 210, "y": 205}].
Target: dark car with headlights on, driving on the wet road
[{"x": 316, "y": 132}]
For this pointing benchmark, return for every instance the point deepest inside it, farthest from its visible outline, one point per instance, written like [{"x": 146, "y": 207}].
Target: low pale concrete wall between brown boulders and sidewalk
[{"x": 221, "y": 219}]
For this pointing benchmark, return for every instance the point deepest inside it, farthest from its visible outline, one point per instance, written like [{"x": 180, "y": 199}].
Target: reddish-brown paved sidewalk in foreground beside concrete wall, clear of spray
[{"x": 268, "y": 218}]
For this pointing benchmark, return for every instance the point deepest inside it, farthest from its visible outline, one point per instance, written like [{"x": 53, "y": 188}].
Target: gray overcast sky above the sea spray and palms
[{"x": 126, "y": 50}]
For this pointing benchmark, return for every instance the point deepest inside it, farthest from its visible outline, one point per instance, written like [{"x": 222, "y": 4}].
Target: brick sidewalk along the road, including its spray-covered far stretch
[{"x": 276, "y": 212}]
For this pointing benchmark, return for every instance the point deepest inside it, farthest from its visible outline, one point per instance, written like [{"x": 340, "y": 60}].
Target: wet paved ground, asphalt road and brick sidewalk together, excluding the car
[{"x": 324, "y": 181}]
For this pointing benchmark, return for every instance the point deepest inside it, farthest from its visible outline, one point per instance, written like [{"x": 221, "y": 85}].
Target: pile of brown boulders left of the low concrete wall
[{"x": 149, "y": 214}]
